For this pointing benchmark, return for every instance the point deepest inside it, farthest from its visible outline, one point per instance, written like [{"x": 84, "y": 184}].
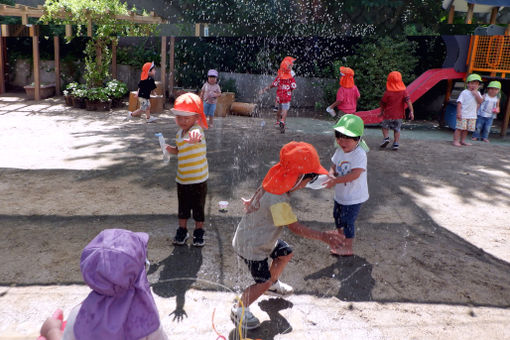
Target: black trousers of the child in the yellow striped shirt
[{"x": 191, "y": 197}]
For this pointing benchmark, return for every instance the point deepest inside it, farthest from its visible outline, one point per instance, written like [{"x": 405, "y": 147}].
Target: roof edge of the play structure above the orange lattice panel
[{"x": 474, "y": 6}]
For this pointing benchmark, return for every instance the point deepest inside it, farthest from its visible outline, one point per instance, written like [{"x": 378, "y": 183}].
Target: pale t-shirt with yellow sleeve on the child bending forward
[{"x": 258, "y": 232}]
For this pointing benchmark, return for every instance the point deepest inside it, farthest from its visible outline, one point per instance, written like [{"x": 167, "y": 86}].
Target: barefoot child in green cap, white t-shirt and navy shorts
[{"x": 348, "y": 174}]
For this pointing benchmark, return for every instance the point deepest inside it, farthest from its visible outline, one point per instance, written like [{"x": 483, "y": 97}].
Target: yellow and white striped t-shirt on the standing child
[{"x": 191, "y": 158}]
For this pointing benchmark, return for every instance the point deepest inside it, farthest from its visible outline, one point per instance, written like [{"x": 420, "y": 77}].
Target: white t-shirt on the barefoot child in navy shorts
[{"x": 356, "y": 191}]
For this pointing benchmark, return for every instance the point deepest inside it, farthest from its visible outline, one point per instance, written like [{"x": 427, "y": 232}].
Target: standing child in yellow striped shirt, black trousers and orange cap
[{"x": 192, "y": 167}]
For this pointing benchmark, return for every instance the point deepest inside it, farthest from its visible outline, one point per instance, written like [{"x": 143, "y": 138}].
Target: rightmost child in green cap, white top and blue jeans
[{"x": 487, "y": 112}]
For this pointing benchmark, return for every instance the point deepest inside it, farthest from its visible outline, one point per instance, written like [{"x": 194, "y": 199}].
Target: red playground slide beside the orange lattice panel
[{"x": 416, "y": 89}]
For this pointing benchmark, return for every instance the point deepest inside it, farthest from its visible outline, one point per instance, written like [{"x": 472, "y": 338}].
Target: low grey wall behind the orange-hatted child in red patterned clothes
[{"x": 308, "y": 91}]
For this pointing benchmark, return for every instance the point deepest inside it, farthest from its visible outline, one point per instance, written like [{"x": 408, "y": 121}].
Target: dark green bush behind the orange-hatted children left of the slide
[{"x": 373, "y": 59}]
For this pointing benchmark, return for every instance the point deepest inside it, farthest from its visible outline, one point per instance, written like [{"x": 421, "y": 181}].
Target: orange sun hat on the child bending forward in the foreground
[{"x": 296, "y": 158}]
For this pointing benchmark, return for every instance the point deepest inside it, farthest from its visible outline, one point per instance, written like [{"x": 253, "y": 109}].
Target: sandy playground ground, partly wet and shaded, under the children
[{"x": 432, "y": 246}]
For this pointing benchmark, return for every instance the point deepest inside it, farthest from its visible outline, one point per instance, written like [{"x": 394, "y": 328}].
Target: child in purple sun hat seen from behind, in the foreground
[{"x": 121, "y": 305}]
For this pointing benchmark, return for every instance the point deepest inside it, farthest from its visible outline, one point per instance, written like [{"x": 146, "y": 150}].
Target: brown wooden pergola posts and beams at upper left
[{"x": 26, "y": 12}]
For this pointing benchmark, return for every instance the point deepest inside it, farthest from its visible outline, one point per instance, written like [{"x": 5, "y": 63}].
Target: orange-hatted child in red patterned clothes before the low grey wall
[{"x": 285, "y": 84}]
